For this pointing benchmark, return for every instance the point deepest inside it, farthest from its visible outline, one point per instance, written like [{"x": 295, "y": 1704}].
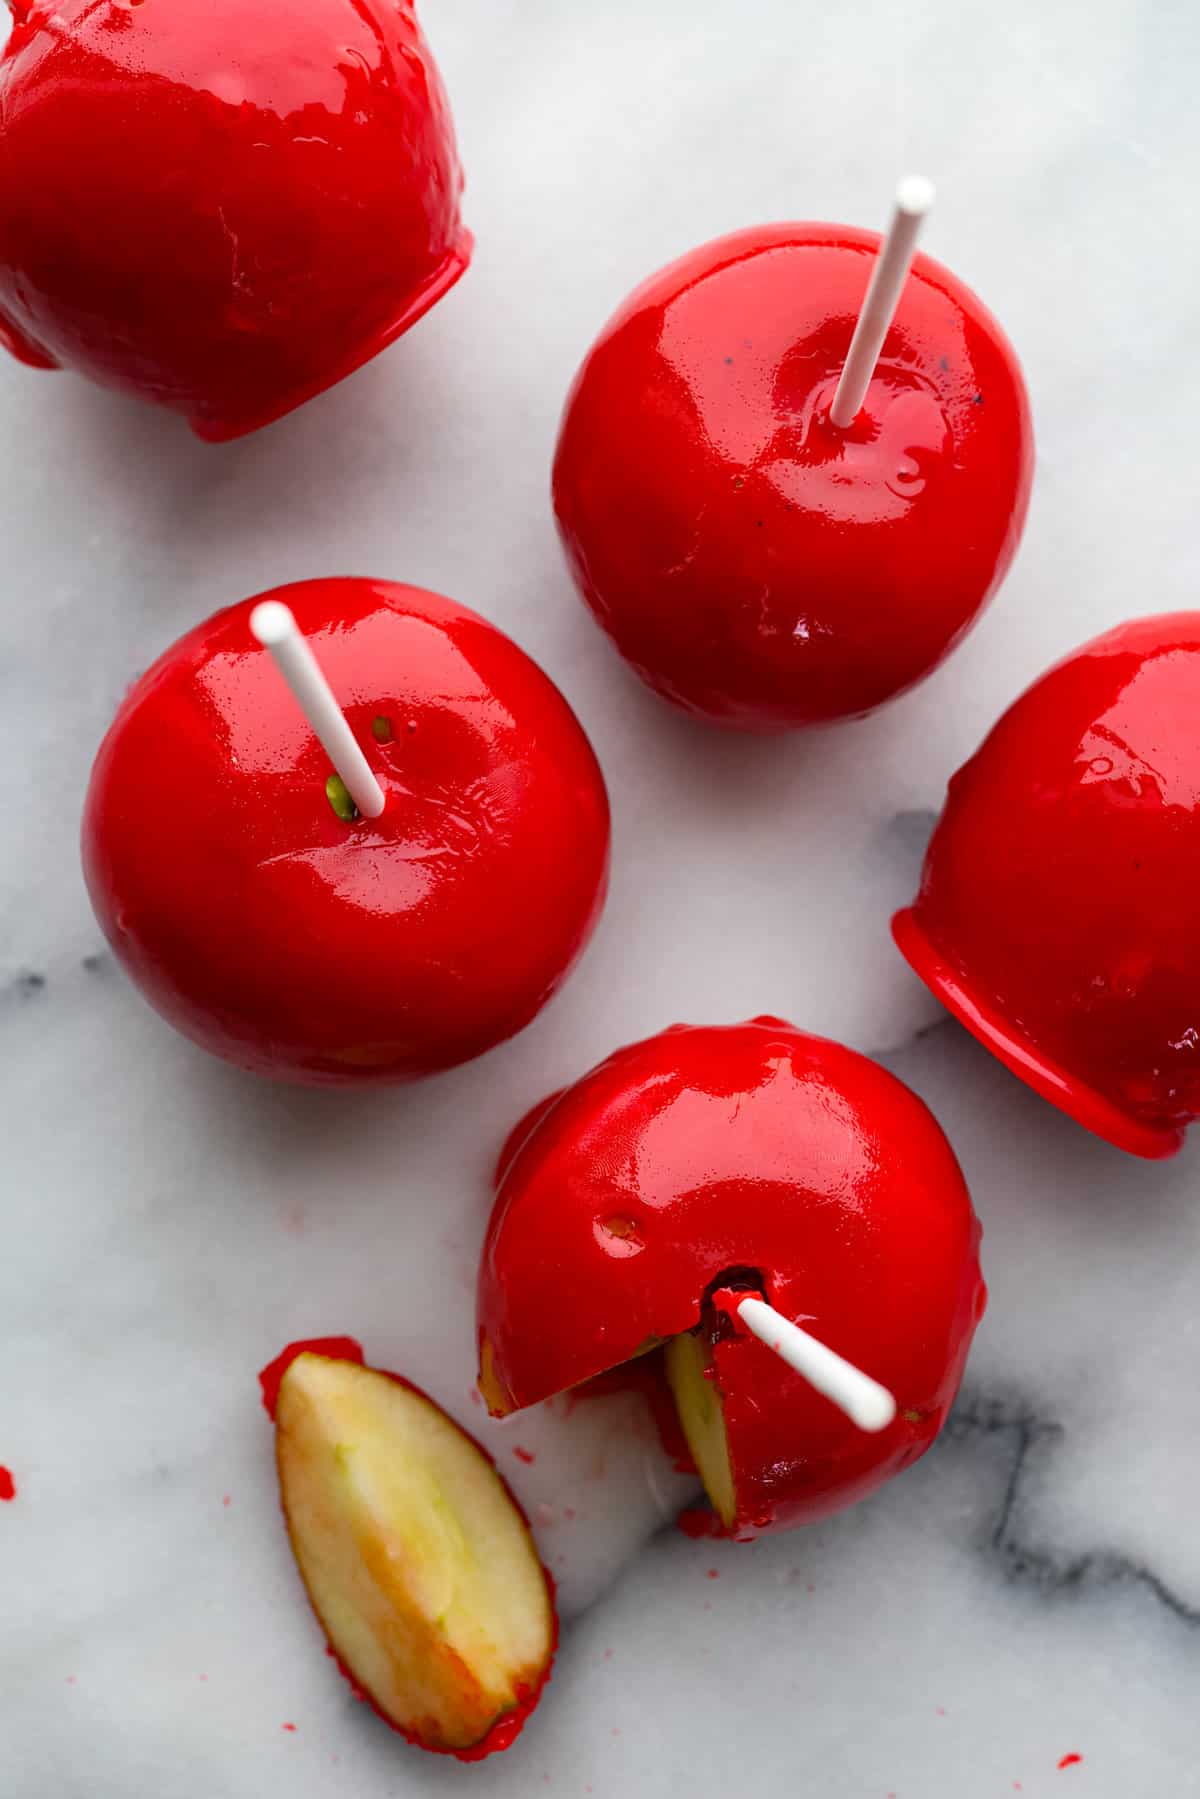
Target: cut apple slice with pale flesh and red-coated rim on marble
[{"x": 416, "y": 1557}]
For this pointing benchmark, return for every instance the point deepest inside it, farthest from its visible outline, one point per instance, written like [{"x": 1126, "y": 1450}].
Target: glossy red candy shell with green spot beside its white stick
[{"x": 296, "y": 944}]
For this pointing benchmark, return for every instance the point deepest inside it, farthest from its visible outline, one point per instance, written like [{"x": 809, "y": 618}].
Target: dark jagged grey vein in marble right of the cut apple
[{"x": 1025, "y": 1562}]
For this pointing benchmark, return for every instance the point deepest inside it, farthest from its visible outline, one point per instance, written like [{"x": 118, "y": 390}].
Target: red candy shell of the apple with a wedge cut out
[{"x": 710, "y": 1150}]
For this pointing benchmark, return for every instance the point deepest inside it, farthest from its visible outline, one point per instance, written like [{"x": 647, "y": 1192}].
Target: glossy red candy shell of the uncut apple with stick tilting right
[{"x": 757, "y": 566}]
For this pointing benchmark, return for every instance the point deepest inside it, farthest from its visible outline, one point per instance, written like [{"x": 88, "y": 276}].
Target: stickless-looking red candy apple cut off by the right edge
[{"x": 1057, "y": 915}]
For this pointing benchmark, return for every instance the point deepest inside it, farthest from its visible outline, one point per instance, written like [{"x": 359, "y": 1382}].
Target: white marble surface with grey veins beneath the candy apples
[{"x": 1034, "y": 1588}]
